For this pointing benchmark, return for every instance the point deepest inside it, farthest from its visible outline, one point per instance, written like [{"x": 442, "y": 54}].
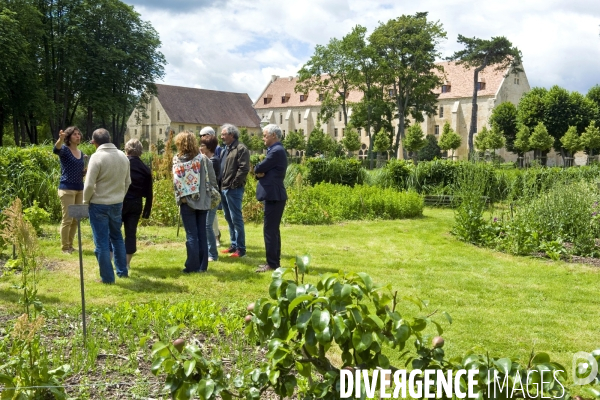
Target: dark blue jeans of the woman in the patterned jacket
[{"x": 194, "y": 223}]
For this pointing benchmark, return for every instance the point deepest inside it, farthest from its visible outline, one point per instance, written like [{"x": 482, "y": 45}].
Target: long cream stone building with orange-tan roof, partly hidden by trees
[{"x": 280, "y": 104}]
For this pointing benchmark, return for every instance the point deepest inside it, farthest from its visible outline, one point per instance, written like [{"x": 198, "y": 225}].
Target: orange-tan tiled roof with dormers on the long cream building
[{"x": 460, "y": 79}]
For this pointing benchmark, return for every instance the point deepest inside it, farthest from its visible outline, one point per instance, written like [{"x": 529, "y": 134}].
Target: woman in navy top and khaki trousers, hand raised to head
[{"x": 70, "y": 189}]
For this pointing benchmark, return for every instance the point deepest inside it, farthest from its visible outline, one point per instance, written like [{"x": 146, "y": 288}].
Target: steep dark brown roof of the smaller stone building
[{"x": 207, "y": 107}]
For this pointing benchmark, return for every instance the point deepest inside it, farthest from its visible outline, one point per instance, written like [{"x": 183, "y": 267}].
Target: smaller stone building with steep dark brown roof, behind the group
[{"x": 181, "y": 108}]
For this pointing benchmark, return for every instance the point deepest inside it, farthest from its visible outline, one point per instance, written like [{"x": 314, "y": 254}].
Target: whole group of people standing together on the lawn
[{"x": 116, "y": 183}]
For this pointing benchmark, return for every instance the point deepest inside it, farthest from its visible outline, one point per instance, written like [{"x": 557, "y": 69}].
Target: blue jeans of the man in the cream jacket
[{"x": 105, "y": 221}]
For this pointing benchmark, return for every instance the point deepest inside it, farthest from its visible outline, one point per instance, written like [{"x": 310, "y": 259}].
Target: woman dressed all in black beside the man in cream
[{"x": 141, "y": 186}]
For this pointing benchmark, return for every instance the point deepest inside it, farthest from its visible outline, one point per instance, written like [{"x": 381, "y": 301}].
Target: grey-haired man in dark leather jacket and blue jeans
[{"x": 235, "y": 165}]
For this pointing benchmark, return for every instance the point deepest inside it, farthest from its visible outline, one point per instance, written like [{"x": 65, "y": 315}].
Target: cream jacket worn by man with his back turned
[{"x": 107, "y": 178}]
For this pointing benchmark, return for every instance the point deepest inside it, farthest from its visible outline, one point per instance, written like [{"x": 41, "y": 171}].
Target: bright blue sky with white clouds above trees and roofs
[{"x": 236, "y": 45}]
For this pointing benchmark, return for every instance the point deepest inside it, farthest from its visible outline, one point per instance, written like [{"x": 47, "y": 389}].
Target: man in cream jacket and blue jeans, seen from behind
[{"x": 106, "y": 183}]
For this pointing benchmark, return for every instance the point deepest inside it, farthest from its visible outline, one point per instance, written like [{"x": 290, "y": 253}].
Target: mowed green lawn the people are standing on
[{"x": 508, "y": 305}]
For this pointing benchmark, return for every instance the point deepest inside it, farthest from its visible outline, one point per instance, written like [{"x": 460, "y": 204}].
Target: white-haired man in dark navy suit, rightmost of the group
[{"x": 270, "y": 190}]
